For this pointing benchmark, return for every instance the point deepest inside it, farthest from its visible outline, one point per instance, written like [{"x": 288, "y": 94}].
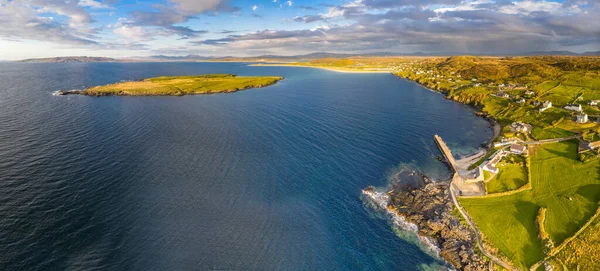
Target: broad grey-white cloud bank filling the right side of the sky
[{"x": 481, "y": 26}]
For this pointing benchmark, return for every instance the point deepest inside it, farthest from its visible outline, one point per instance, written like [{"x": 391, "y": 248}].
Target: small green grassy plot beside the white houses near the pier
[{"x": 512, "y": 175}]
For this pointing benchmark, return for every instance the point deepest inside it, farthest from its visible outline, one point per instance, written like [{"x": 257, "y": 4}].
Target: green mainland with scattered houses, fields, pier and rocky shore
[{"x": 531, "y": 199}]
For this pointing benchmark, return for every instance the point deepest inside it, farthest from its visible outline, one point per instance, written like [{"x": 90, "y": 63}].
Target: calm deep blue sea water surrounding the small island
[{"x": 261, "y": 179}]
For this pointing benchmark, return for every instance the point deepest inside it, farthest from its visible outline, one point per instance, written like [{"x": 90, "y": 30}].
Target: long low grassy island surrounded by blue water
[{"x": 179, "y": 85}]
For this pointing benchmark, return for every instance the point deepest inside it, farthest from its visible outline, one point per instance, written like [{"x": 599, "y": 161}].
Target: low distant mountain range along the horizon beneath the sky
[{"x": 311, "y": 56}]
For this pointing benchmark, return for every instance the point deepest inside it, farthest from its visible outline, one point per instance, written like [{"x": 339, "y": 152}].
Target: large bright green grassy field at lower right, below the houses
[{"x": 569, "y": 189}]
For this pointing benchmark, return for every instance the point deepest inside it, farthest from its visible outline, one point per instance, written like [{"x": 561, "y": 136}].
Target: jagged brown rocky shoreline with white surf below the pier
[{"x": 427, "y": 205}]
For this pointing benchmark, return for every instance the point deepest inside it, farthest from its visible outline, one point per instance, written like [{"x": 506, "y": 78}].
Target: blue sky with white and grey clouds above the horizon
[{"x": 130, "y": 28}]
